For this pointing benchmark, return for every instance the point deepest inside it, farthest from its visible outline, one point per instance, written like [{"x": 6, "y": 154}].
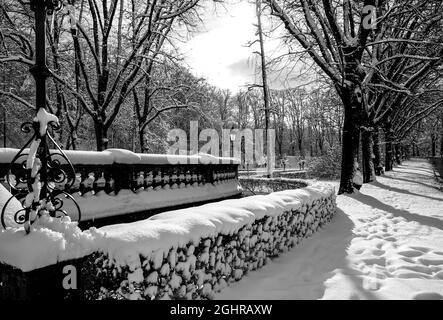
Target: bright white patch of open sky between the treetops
[{"x": 219, "y": 51}]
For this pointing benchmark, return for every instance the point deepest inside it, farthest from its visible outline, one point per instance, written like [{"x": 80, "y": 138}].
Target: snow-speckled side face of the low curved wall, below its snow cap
[{"x": 198, "y": 271}]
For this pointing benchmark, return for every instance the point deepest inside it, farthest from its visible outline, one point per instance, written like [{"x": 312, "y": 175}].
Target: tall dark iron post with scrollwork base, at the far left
[{"x": 40, "y": 168}]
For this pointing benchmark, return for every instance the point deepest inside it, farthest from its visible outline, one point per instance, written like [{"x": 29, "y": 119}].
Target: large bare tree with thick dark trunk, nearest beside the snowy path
[{"x": 334, "y": 35}]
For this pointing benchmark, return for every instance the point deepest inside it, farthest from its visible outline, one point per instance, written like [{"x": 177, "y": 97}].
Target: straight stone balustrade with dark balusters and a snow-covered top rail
[{"x": 116, "y": 181}]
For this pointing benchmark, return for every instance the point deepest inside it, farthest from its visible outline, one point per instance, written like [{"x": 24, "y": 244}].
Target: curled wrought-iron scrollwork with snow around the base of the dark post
[{"x": 35, "y": 175}]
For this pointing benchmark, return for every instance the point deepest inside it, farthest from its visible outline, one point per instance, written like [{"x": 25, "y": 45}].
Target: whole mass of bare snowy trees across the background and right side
[{"x": 116, "y": 75}]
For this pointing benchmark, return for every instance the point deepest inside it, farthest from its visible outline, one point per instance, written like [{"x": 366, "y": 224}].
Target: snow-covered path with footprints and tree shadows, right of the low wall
[{"x": 384, "y": 243}]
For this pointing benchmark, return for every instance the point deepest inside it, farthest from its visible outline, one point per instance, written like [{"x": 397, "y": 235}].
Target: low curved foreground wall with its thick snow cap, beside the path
[{"x": 183, "y": 254}]
